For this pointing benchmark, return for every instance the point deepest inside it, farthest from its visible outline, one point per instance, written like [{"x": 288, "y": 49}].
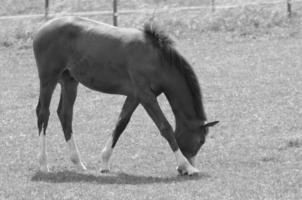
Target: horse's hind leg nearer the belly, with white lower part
[{"x": 65, "y": 111}]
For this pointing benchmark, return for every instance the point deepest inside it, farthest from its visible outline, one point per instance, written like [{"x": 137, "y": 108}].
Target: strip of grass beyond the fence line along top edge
[{"x": 15, "y": 7}]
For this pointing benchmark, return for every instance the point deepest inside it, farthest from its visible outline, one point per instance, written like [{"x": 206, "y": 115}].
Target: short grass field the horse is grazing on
[{"x": 251, "y": 80}]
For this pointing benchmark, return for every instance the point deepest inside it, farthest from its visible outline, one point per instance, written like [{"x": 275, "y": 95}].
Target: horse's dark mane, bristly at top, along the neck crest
[{"x": 165, "y": 44}]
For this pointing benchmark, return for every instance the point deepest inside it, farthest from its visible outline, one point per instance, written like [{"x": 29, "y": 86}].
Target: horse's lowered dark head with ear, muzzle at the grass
[{"x": 190, "y": 141}]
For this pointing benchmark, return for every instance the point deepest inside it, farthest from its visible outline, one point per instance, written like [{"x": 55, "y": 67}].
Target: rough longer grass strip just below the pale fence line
[{"x": 241, "y": 22}]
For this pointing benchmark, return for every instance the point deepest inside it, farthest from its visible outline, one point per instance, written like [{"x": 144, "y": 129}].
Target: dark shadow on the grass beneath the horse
[{"x": 110, "y": 178}]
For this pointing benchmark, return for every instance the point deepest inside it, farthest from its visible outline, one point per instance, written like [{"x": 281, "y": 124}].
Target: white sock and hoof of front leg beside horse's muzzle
[{"x": 183, "y": 165}]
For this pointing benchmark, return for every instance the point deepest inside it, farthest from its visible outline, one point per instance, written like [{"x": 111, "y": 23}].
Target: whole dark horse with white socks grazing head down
[{"x": 140, "y": 64}]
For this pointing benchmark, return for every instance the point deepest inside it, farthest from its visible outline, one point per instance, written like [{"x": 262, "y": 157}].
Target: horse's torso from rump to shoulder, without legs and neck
[{"x": 98, "y": 55}]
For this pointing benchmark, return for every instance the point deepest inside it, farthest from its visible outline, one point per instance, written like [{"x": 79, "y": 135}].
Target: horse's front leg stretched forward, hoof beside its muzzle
[{"x": 150, "y": 103}]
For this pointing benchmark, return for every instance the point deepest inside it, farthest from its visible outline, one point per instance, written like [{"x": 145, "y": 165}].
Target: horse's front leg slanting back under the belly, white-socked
[{"x": 128, "y": 108}]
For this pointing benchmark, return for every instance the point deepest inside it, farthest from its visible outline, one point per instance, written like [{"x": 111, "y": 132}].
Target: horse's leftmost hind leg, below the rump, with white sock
[{"x": 42, "y": 111}]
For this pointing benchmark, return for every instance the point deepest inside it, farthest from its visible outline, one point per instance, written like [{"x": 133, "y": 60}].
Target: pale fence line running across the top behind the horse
[{"x": 147, "y": 11}]
